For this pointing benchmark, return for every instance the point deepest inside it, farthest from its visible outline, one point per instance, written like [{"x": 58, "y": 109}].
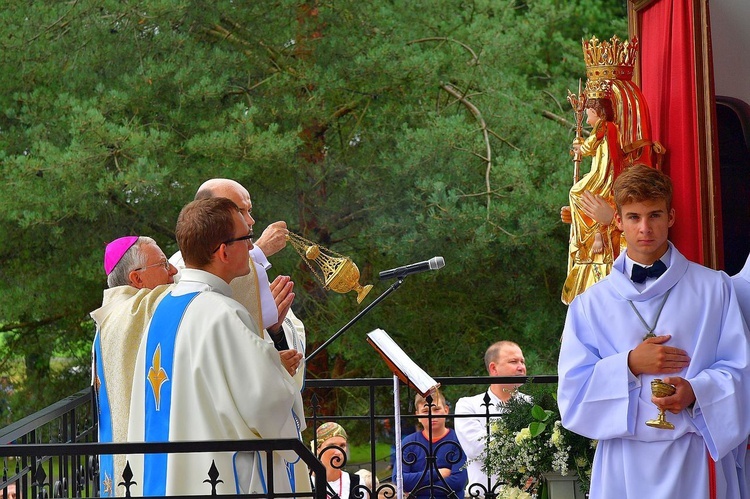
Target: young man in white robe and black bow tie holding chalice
[{"x": 657, "y": 316}]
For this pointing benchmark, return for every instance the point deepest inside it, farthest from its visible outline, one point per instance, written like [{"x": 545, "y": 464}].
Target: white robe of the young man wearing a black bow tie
[{"x": 600, "y": 398}]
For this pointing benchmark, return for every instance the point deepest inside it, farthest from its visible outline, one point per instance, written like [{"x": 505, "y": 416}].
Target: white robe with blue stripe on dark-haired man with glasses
[{"x": 204, "y": 373}]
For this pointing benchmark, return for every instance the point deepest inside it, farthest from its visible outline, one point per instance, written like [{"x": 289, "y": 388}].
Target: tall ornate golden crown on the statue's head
[{"x": 607, "y": 60}]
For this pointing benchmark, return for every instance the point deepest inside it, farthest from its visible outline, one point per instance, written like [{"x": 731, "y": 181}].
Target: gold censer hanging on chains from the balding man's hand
[{"x": 334, "y": 271}]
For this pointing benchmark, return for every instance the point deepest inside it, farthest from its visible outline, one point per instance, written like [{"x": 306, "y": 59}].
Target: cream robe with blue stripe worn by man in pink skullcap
[{"x": 120, "y": 324}]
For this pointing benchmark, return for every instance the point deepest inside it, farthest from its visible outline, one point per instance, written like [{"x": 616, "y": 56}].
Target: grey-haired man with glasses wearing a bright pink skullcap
[{"x": 138, "y": 276}]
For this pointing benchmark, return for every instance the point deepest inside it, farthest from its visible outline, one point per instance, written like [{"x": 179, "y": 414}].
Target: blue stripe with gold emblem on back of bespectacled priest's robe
[{"x": 162, "y": 334}]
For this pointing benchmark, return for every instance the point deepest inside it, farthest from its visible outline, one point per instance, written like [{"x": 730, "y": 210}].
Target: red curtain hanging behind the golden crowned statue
[{"x": 668, "y": 83}]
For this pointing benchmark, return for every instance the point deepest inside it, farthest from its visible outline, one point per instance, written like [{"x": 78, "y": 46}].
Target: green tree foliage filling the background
[{"x": 386, "y": 131}]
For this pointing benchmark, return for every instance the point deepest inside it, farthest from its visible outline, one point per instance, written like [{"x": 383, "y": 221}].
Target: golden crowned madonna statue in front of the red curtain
[{"x": 620, "y": 136}]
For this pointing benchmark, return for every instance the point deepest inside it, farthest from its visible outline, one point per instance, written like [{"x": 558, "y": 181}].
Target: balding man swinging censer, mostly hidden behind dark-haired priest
[{"x": 269, "y": 303}]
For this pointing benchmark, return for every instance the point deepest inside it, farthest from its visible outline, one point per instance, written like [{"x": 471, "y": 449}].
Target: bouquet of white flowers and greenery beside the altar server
[{"x": 529, "y": 441}]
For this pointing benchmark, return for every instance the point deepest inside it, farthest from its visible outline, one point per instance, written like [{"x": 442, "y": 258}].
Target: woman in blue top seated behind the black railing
[{"x": 433, "y": 462}]
